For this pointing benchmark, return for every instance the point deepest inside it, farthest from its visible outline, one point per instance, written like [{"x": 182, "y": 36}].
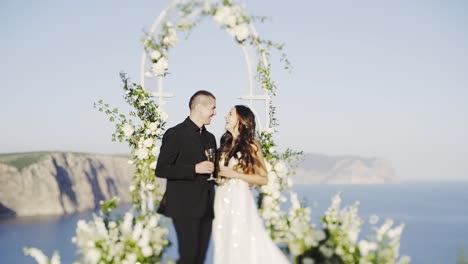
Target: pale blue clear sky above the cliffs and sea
[{"x": 384, "y": 79}]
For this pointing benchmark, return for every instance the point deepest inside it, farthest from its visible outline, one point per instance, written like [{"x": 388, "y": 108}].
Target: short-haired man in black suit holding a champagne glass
[{"x": 189, "y": 197}]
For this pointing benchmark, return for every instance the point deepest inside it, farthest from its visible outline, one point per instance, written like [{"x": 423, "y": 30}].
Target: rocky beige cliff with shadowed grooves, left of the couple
[{"x": 60, "y": 183}]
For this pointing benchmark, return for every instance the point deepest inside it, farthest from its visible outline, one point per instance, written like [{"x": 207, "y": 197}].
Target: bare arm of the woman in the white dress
[{"x": 259, "y": 178}]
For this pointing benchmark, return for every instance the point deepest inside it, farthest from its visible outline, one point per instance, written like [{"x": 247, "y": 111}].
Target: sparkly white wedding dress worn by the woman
[{"x": 239, "y": 236}]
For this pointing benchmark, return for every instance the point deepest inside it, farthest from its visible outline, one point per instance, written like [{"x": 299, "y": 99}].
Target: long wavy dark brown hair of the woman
[{"x": 248, "y": 161}]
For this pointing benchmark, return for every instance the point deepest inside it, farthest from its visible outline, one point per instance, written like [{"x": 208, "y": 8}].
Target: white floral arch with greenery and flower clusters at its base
[{"x": 140, "y": 235}]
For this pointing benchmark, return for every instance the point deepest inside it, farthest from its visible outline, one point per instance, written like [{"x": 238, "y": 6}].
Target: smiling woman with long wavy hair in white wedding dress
[{"x": 238, "y": 232}]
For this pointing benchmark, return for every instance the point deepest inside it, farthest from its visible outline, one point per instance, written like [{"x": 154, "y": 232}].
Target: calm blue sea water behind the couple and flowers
[{"x": 435, "y": 217}]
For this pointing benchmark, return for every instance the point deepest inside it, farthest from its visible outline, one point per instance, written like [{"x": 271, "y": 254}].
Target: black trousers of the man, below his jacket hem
[{"x": 193, "y": 236}]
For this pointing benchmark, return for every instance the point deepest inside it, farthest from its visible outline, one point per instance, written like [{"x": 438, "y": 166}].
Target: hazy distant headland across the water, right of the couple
[{"x": 317, "y": 168}]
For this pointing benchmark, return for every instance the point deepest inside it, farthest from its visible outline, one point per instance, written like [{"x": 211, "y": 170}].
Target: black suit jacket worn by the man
[{"x": 188, "y": 194}]
